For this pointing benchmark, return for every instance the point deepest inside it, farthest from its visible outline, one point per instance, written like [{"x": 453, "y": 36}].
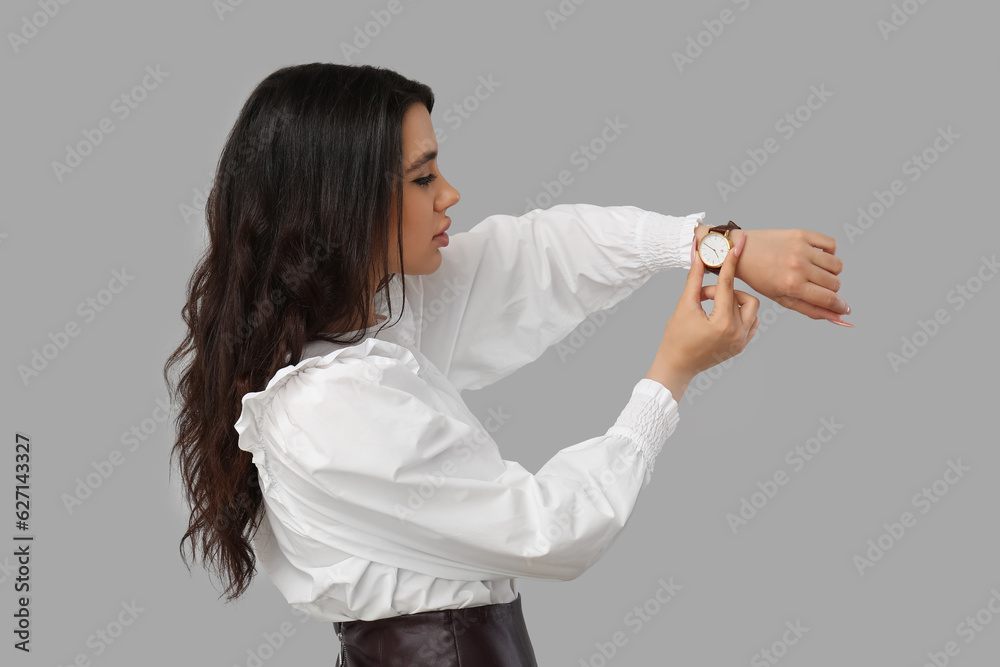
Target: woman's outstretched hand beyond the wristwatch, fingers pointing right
[{"x": 795, "y": 268}]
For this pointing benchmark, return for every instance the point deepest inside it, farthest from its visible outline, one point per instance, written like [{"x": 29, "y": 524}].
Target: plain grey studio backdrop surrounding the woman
[{"x": 686, "y": 129}]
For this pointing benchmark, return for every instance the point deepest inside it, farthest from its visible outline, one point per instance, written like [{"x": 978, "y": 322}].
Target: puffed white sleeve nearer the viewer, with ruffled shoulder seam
[{"x": 358, "y": 454}]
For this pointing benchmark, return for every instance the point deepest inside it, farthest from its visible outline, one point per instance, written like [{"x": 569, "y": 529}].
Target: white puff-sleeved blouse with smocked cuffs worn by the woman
[{"x": 385, "y": 495}]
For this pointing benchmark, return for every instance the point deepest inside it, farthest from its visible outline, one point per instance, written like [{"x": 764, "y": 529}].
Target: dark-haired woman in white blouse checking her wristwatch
[{"x": 355, "y": 474}]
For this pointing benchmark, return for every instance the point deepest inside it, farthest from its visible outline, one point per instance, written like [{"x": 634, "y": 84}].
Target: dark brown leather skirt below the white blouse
[{"x": 492, "y": 635}]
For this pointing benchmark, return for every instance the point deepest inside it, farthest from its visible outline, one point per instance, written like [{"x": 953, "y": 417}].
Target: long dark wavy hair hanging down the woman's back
[{"x": 298, "y": 221}]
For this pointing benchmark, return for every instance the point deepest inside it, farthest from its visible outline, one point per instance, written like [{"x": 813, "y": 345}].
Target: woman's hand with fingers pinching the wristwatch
[{"x": 694, "y": 341}]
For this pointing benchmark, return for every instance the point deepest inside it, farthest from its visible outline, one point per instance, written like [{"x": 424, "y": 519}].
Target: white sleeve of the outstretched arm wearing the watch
[{"x": 511, "y": 287}]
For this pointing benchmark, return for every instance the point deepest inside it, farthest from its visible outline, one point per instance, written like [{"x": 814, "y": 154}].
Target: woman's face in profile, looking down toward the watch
[{"x": 426, "y": 197}]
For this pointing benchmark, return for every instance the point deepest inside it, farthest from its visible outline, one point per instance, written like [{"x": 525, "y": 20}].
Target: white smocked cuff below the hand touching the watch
[{"x": 649, "y": 418}]
